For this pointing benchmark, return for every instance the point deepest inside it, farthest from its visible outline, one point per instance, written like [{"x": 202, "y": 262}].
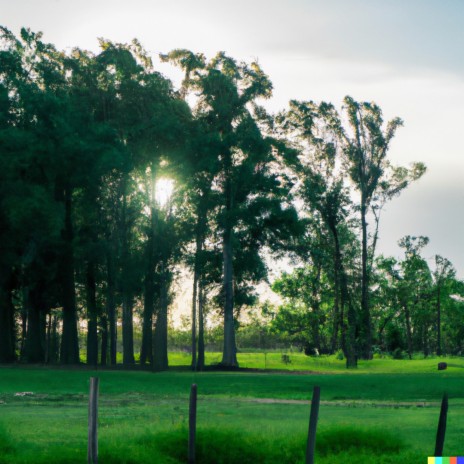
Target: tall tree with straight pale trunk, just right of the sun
[{"x": 226, "y": 93}]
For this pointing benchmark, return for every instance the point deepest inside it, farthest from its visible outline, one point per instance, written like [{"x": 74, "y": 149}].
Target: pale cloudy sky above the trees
[{"x": 406, "y": 55}]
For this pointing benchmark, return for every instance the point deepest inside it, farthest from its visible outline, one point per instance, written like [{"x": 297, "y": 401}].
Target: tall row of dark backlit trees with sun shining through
[{"x": 90, "y": 147}]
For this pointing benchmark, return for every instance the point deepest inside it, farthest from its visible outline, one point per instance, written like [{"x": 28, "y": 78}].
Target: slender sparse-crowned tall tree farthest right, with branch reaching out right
[{"x": 364, "y": 143}]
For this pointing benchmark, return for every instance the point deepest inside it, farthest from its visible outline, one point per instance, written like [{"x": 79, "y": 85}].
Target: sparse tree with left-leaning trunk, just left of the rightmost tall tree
[{"x": 323, "y": 192}]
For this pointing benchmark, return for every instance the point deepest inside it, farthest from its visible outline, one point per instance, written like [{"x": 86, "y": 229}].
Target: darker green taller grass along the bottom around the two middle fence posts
[{"x": 233, "y": 447}]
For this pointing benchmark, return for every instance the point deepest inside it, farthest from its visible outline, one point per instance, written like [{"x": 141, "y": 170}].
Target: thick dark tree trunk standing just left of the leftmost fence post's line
[{"x": 69, "y": 341}]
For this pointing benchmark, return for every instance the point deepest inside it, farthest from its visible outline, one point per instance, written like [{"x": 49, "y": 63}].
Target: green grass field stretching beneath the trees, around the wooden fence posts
[{"x": 386, "y": 411}]
